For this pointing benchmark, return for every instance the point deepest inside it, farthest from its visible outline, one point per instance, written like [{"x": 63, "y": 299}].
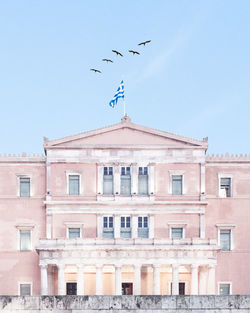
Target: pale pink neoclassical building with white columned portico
[{"x": 124, "y": 209}]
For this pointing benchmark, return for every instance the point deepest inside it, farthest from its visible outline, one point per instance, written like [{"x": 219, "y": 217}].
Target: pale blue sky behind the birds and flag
[{"x": 193, "y": 79}]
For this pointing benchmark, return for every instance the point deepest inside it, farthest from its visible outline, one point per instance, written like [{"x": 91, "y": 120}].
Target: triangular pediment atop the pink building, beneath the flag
[{"x": 125, "y": 133}]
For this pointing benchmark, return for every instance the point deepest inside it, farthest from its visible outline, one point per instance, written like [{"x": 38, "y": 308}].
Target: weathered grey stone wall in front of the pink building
[{"x": 122, "y": 304}]
